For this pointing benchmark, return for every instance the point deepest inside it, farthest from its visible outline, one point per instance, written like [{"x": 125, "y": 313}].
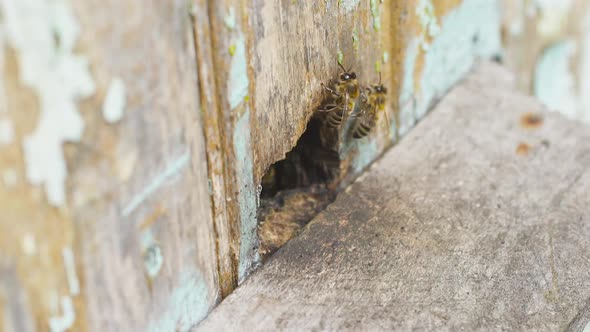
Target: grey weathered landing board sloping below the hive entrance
[{"x": 477, "y": 220}]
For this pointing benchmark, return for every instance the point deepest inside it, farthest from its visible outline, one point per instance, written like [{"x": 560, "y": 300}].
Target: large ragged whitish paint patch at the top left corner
[{"x": 44, "y": 35}]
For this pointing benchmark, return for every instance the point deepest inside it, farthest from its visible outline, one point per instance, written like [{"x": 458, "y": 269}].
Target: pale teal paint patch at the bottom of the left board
[{"x": 187, "y": 305}]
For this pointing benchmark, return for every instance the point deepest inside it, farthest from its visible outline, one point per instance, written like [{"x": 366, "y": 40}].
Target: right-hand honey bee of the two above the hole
[{"x": 372, "y": 105}]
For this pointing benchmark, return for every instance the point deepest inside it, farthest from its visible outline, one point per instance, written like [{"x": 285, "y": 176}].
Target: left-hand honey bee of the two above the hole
[{"x": 343, "y": 95}]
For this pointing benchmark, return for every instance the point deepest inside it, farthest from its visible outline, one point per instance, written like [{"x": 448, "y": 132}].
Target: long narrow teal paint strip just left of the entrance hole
[{"x": 247, "y": 197}]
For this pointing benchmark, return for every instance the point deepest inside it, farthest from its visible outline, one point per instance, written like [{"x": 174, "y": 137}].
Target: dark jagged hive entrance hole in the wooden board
[{"x": 296, "y": 189}]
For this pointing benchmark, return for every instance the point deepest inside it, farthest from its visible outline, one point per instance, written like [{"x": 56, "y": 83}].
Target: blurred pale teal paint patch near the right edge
[{"x": 554, "y": 80}]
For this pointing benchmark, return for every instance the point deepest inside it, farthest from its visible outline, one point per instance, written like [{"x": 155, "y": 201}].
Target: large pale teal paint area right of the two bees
[{"x": 468, "y": 31}]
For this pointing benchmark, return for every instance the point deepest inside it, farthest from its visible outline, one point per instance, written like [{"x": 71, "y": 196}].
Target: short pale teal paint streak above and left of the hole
[{"x": 237, "y": 85}]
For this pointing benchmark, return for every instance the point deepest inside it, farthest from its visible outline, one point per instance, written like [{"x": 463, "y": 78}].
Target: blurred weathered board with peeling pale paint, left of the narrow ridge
[{"x": 129, "y": 243}]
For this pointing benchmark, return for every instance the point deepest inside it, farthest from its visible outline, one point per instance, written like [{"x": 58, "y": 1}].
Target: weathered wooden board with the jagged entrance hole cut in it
[{"x": 270, "y": 58}]
